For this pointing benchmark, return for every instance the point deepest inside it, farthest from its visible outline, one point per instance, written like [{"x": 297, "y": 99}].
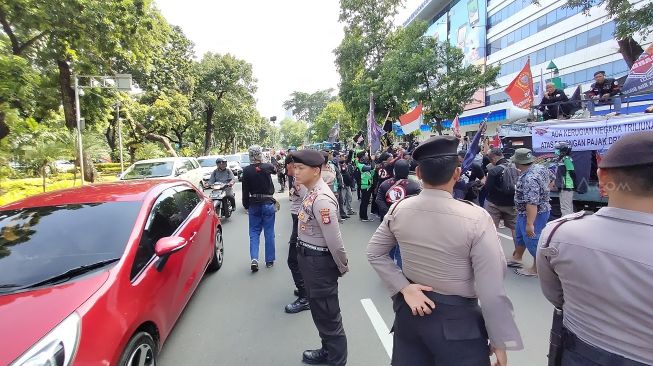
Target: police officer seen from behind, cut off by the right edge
[{"x": 599, "y": 268}]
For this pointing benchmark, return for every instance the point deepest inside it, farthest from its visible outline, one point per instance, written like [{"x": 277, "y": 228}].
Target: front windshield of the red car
[{"x": 42, "y": 242}]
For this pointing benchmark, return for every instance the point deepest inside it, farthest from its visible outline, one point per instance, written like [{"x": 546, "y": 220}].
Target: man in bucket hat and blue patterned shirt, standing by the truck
[{"x": 532, "y": 204}]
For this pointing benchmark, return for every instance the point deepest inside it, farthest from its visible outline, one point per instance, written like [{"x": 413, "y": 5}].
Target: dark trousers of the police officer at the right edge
[{"x": 576, "y": 352}]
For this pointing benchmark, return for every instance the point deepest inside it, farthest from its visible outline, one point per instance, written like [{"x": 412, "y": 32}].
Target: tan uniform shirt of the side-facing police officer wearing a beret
[{"x": 318, "y": 223}]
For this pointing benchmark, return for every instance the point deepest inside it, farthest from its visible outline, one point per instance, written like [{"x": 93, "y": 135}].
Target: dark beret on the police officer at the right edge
[{"x": 630, "y": 150}]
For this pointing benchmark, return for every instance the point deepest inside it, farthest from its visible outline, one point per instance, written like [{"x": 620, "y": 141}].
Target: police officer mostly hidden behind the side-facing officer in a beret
[{"x": 297, "y": 192}]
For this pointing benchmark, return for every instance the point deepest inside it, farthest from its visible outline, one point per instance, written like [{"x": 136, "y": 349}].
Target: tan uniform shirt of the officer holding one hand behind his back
[{"x": 453, "y": 247}]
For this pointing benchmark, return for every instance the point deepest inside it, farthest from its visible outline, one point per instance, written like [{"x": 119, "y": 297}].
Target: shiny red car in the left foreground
[{"x": 98, "y": 275}]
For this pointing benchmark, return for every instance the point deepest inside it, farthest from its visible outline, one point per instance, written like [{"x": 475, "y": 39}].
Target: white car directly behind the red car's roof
[{"x": 165, "y": 168}]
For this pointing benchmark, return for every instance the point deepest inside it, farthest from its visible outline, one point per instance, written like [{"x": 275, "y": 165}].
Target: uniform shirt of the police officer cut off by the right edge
[{"x": 599, "y": 270}]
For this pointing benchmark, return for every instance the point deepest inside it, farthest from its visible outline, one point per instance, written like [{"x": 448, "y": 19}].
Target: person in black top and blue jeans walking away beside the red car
[{"x": 258, "y": 200}]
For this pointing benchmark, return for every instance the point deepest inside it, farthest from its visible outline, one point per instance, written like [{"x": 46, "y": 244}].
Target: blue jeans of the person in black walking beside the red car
[{"x": 261, "y": 217}]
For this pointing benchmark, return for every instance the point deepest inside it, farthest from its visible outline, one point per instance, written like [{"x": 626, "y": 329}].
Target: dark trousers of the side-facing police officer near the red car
[{"x": 321, "y": 275}]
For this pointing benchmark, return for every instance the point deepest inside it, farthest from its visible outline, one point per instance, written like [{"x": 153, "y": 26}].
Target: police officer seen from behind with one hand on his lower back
[{"x": 452, "y": 259}]
